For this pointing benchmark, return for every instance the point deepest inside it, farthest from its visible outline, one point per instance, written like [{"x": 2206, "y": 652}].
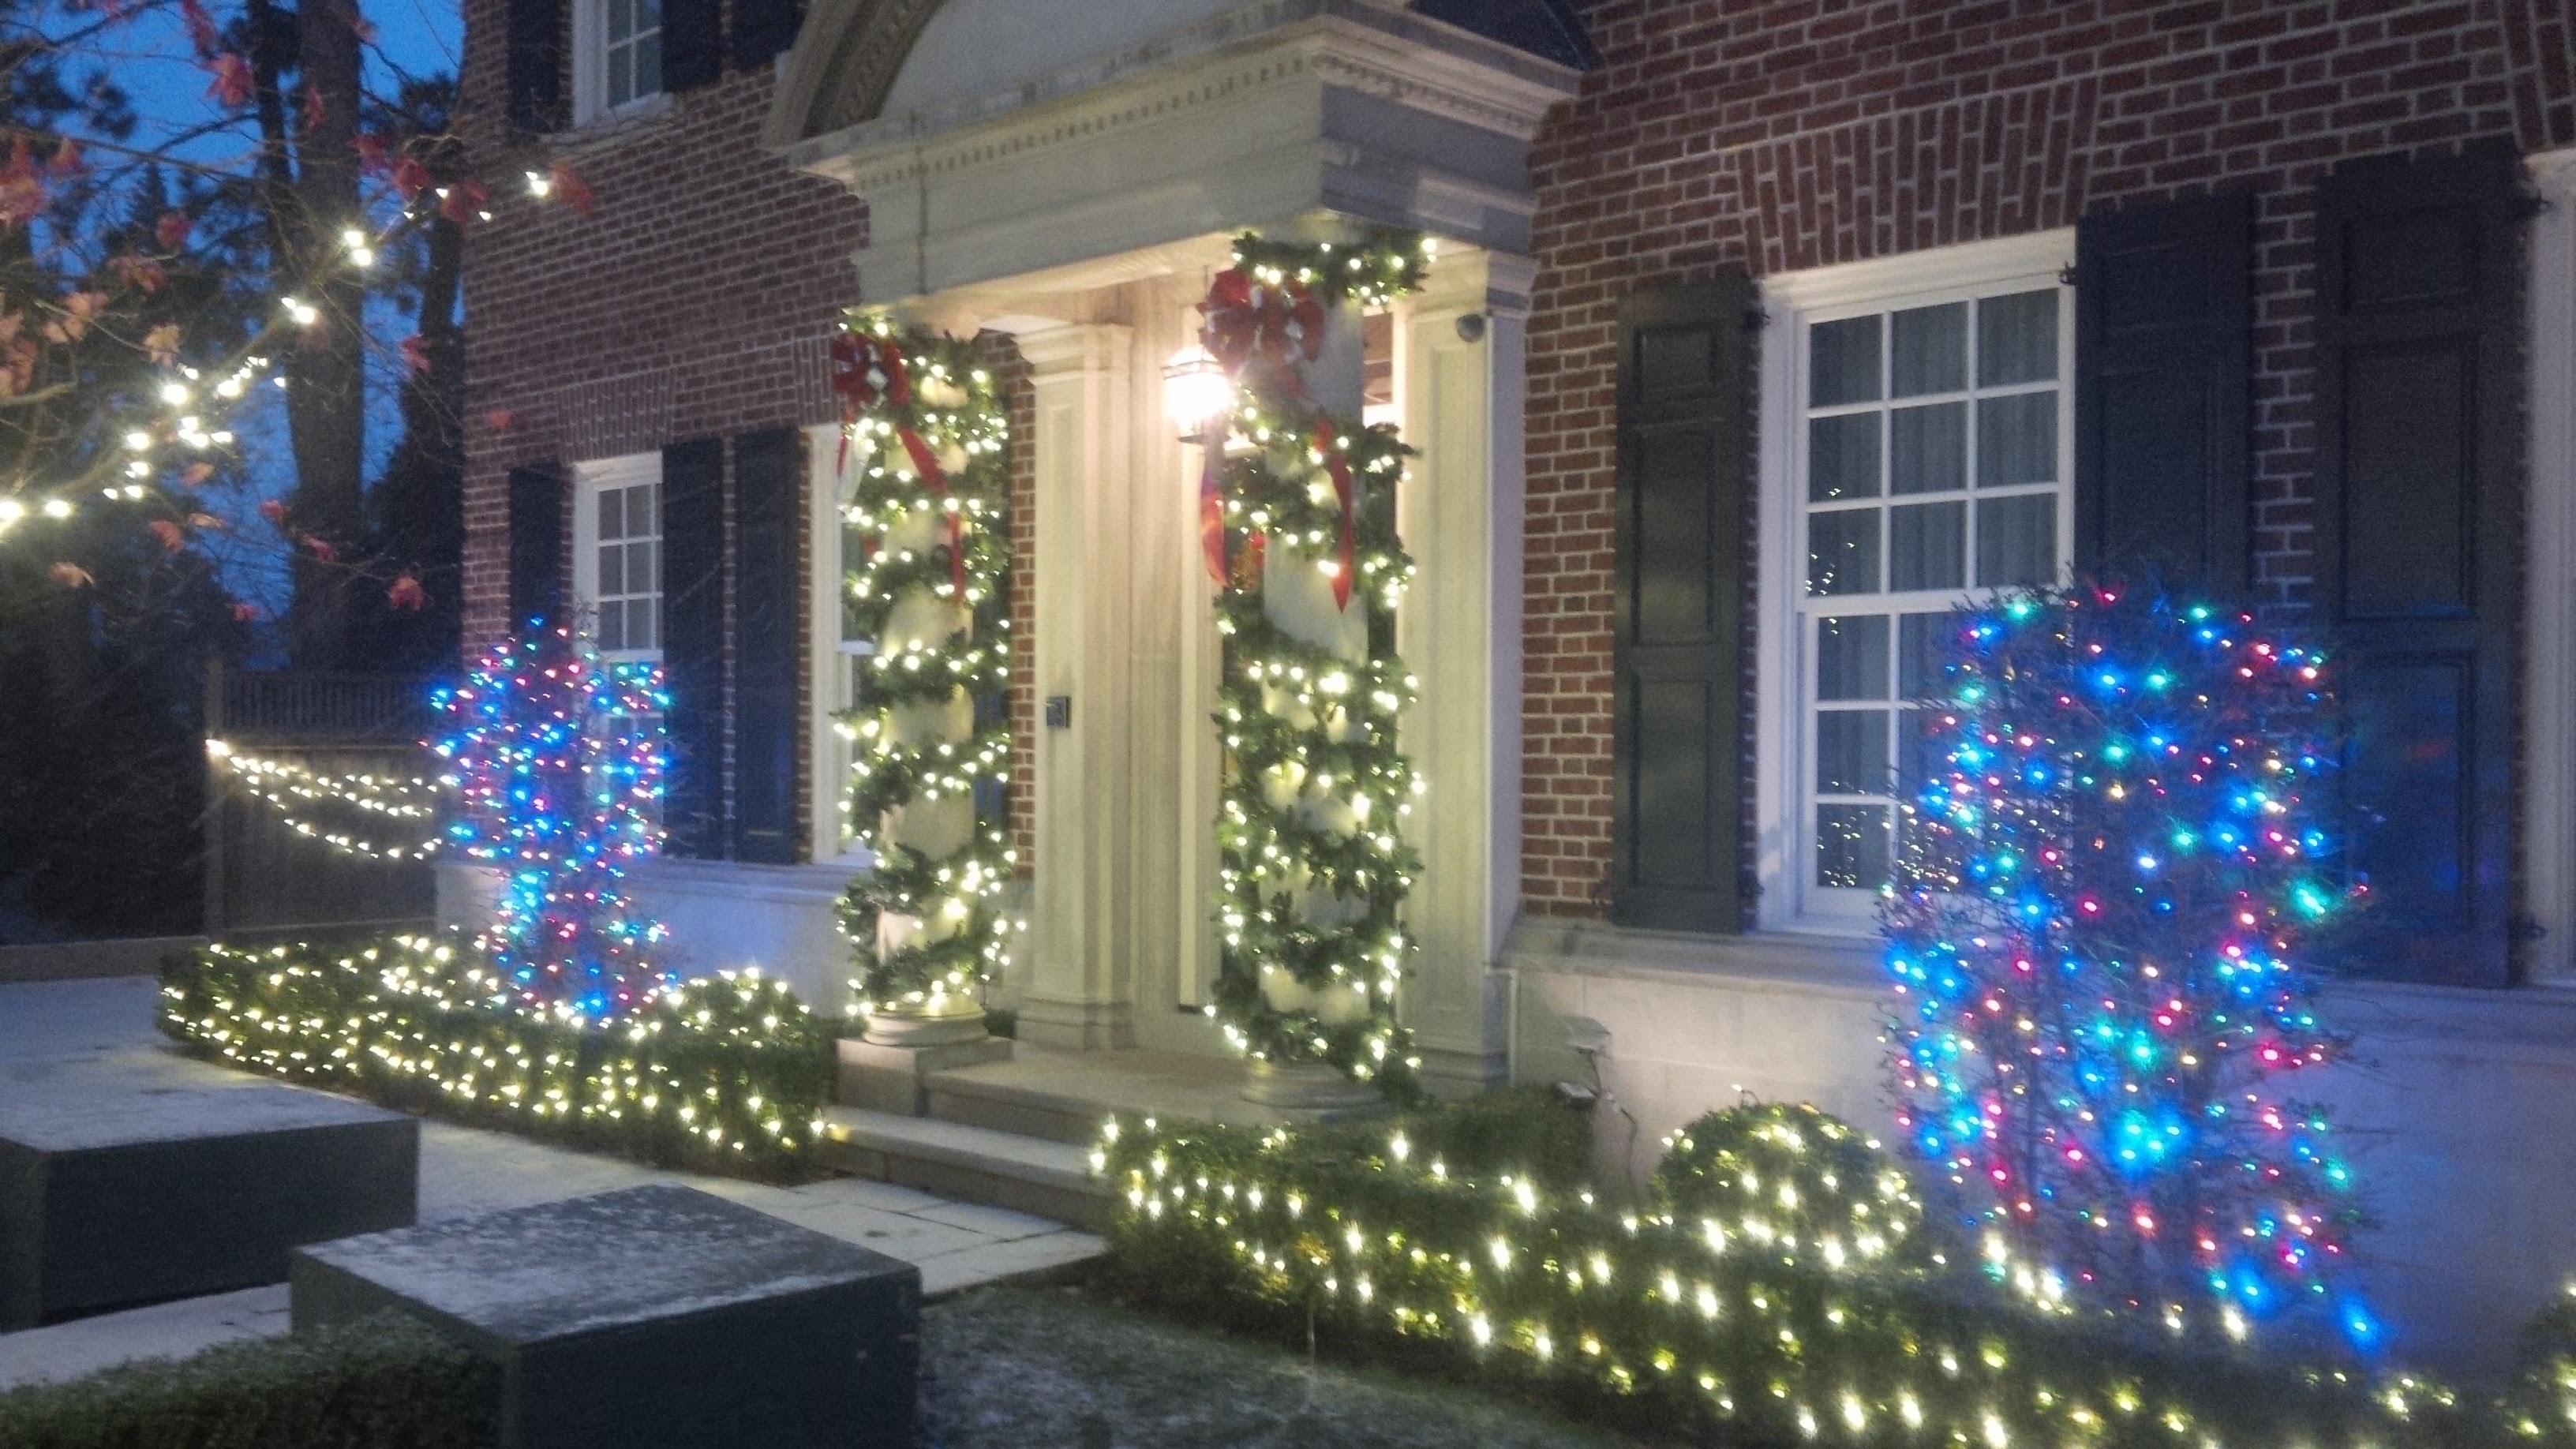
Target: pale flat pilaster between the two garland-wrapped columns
[{"x": 1078, "y": 989}]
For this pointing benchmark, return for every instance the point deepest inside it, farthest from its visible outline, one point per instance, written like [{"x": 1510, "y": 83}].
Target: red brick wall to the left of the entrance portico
[{"x": 694, "y": 303}]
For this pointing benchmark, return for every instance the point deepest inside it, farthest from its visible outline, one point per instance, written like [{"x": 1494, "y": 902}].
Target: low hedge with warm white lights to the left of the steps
[{"x": 723, "y": 1074}]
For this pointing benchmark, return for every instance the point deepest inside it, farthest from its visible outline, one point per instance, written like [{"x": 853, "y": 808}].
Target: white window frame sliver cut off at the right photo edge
[{"x": 2552, "y": 599}]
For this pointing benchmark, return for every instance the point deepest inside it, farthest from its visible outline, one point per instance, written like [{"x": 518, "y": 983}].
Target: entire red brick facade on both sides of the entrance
[{"x": 1766, "y": 133}]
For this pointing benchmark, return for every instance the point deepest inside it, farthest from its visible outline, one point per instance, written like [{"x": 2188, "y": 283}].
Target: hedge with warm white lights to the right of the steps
[{"x": 1797, "y": 1316}]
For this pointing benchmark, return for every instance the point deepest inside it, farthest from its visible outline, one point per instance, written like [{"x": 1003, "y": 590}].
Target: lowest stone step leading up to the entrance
[{"x": 972, "y": 1164}]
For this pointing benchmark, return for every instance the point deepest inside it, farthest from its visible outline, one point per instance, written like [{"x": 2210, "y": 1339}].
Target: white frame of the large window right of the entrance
[{"x": 1794, "y": 303}]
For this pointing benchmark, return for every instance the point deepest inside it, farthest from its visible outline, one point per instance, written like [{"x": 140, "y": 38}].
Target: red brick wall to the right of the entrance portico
[{"x": 1789, "y": 133}]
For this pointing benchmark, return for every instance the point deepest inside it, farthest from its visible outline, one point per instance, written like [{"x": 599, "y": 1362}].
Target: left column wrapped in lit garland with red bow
[{"x": 931, "y": 442}]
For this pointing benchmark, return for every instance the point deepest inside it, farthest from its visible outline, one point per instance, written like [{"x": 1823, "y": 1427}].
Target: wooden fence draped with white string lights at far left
[{"x": 264, "y": 878}]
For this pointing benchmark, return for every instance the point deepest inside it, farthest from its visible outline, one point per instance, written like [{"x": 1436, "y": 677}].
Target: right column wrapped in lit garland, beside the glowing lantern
[{"x": 1300, "y": 535}]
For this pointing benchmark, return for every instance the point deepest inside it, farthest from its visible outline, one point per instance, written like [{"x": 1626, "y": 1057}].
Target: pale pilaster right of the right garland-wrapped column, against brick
[{"x": 1459, "y": 388}]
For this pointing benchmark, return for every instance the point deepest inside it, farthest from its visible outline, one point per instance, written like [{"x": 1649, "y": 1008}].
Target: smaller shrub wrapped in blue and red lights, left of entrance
[{"x": 558, "y": 770}]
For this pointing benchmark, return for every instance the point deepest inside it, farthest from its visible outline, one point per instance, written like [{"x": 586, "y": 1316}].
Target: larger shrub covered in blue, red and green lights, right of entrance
[{"x": 2098, "y": 942}]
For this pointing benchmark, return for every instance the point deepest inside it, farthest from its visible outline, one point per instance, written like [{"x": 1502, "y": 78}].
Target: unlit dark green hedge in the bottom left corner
[{"x": 380, "y": 1383}]
